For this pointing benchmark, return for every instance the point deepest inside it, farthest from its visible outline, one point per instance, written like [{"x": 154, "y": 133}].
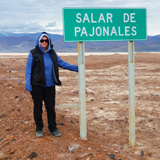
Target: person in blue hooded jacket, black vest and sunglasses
[{"x": 41, "y": 75}]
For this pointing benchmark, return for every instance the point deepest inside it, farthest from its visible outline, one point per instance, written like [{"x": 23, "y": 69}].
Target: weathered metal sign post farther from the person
[{"x": 131, "y": 82}]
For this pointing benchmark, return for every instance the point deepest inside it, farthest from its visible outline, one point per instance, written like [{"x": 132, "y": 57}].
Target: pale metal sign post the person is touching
[{"x": 82, "y": 91}]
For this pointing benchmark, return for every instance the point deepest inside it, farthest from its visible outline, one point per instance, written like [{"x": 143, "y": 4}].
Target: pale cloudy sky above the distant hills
[{"x": 37, "y": 15}]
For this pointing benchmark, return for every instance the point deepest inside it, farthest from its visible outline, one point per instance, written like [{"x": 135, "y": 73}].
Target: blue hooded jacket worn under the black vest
[{"x": 48, "y": 64}]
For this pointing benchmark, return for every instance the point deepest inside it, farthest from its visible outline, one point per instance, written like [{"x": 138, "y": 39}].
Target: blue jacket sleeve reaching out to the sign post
[{"x": 66, "y": 65}]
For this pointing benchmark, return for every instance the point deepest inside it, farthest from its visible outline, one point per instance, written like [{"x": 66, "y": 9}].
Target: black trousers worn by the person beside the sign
[{"x": 48, "y": 95}]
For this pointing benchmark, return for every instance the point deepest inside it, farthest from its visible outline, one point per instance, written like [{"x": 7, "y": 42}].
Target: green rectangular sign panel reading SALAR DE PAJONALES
[{"x": 104, "y": 24}]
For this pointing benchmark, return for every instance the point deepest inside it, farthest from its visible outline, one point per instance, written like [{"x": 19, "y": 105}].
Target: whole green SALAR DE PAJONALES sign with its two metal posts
[{"x": 105, "y": 24}]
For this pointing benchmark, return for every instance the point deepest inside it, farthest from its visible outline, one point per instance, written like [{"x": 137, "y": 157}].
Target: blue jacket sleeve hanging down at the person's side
[{"x": 28, "y": 72}]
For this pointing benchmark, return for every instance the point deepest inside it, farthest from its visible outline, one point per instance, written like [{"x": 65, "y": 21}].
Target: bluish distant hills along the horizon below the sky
[{"x": 24, "y": 42}]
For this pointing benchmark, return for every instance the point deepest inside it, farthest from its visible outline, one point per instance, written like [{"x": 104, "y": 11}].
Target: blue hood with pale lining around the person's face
[{"x": 50, "y": 46}]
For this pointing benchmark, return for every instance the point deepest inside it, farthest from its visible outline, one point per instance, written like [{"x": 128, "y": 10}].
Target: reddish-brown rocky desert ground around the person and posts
[{"x": 107, "y": 106}]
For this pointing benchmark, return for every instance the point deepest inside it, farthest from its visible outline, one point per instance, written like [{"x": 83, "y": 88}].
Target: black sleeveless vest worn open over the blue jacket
[{"x": 37, "y": 75}]
